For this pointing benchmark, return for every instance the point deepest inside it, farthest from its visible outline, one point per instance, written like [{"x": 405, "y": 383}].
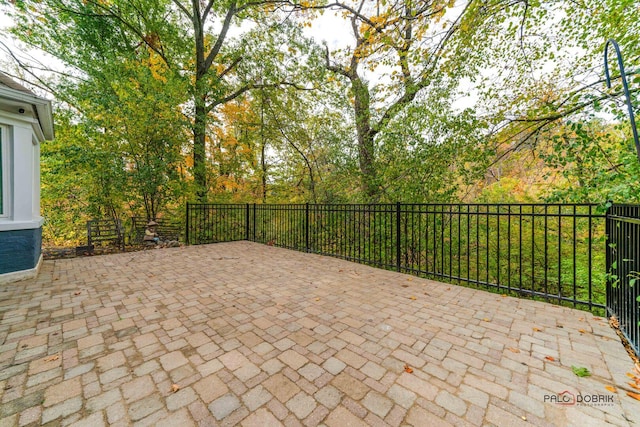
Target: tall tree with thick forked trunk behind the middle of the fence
[{"x": 410, "y": 45}]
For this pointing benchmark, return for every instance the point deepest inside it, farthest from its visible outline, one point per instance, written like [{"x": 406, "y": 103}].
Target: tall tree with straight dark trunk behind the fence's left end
[{"x": 191, "y": 39}]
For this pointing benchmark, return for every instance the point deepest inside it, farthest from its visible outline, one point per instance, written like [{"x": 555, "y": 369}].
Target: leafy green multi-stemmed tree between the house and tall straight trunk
[{"x": 138, "y": 111}]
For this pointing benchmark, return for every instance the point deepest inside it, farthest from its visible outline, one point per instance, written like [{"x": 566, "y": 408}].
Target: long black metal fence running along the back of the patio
[{"x": 548, "y": 251}]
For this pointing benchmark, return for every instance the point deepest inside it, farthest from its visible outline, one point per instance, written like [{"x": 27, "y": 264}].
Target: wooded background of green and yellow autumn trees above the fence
[{"x": 160, "y": 102}]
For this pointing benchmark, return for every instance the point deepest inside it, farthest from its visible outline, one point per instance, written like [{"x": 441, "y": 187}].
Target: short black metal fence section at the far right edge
[{"x": 623, "y": 266}]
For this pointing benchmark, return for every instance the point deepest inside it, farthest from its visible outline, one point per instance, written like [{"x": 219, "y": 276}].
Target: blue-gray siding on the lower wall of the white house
[{"x": 19, "y": 249}]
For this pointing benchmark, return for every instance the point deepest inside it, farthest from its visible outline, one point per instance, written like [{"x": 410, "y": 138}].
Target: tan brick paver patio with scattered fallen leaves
[{"x": 242, "y": 333}]
